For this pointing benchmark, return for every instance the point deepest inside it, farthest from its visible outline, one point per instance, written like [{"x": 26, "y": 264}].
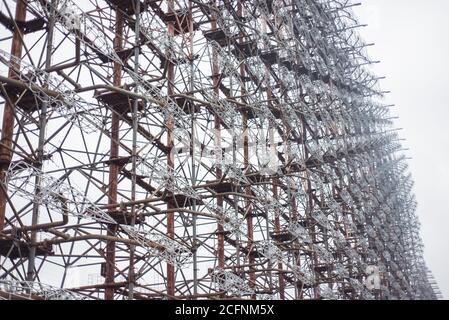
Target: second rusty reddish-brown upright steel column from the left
[{"x": 113, "y": 167}]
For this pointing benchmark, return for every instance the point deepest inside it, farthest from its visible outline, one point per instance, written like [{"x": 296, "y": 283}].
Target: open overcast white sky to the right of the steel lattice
[{"x": 412, "y": 42}]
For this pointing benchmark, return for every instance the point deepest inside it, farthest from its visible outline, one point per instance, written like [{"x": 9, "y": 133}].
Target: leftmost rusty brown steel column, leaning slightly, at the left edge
[{"x": 8, "y": 112}]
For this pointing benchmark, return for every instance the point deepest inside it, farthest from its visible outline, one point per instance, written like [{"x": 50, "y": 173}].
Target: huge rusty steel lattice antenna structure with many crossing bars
[{"x": 199, "y": 150}]
